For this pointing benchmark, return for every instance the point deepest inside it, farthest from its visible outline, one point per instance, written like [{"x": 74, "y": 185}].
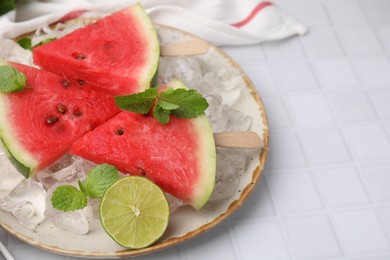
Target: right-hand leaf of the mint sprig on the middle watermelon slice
[{"x": 190, "y": 103}]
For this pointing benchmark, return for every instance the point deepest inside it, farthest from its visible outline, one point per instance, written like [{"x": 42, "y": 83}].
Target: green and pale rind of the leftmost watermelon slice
[{"x": 16, "y": 153}]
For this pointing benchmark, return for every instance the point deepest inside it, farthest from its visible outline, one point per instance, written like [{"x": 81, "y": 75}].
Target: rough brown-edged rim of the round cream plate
[{"x": 233, "y": 206}]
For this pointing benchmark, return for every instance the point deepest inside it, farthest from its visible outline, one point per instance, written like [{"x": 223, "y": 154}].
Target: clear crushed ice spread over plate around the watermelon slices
[{"x": 29, "y": 200}]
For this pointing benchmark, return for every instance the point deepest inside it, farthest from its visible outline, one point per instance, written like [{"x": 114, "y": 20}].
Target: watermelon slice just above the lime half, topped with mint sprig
[{"x": 179, "y": 157}]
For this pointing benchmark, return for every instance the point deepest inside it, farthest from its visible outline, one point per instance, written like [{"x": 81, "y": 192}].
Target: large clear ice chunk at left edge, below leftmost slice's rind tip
[{"x": 27, "y": 202}]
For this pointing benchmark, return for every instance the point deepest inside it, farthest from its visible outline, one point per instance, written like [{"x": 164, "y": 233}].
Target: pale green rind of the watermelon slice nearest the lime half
[{"x": 207, "y": 157}]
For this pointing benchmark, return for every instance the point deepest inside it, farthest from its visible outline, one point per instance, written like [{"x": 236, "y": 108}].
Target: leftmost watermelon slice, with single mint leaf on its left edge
[{"x": 39, "y": 124}]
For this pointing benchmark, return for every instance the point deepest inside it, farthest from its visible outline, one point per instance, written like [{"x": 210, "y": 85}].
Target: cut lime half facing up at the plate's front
[{"x": 134, "y": 212}]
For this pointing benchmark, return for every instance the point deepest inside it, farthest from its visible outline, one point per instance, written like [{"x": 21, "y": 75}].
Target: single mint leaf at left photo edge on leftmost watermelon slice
[{"x": 11, "y": 80}]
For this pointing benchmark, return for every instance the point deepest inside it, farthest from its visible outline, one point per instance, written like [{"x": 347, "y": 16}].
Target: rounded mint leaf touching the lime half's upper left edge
[{"x": 99, "y": 179}]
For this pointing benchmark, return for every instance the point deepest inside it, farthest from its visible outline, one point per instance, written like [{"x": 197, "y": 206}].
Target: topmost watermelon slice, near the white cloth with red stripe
[{"x": 118, "y": 54}]
